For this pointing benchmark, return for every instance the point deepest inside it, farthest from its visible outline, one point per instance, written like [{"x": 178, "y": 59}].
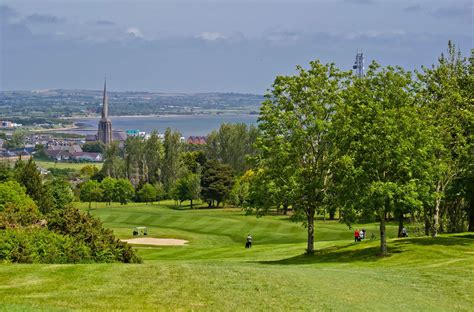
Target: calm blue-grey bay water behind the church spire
[{"x": 188, "y": 125}]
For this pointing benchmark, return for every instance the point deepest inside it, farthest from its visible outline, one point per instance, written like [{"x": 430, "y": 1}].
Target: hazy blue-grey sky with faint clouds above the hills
[{"x": 214, "y": 46}]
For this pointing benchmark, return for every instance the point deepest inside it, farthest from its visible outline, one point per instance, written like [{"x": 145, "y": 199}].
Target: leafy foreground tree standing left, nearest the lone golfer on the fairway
[{"x": 295, "y": 146}]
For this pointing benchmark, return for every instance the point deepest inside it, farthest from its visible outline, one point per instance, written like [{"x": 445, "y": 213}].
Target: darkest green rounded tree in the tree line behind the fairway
[{"x": 216, "y": 182}]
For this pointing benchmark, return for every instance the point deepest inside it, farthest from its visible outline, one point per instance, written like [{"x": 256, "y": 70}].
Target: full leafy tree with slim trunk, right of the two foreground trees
[{"x": 384, "y": 145}]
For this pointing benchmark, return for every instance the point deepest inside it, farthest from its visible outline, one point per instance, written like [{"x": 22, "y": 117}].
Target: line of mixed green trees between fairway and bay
[{"x": 152, "y": 169}]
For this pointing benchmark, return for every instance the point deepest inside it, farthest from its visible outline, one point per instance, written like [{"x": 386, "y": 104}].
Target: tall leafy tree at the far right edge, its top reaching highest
[{"x": 447, "y": 100}]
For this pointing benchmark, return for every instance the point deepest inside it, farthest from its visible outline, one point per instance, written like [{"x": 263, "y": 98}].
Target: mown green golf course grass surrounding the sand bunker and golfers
[{"x": 215, "y": 272}]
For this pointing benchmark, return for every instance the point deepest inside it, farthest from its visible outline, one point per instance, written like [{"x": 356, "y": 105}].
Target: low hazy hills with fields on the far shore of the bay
[{"x": 67, "y": 103}]
